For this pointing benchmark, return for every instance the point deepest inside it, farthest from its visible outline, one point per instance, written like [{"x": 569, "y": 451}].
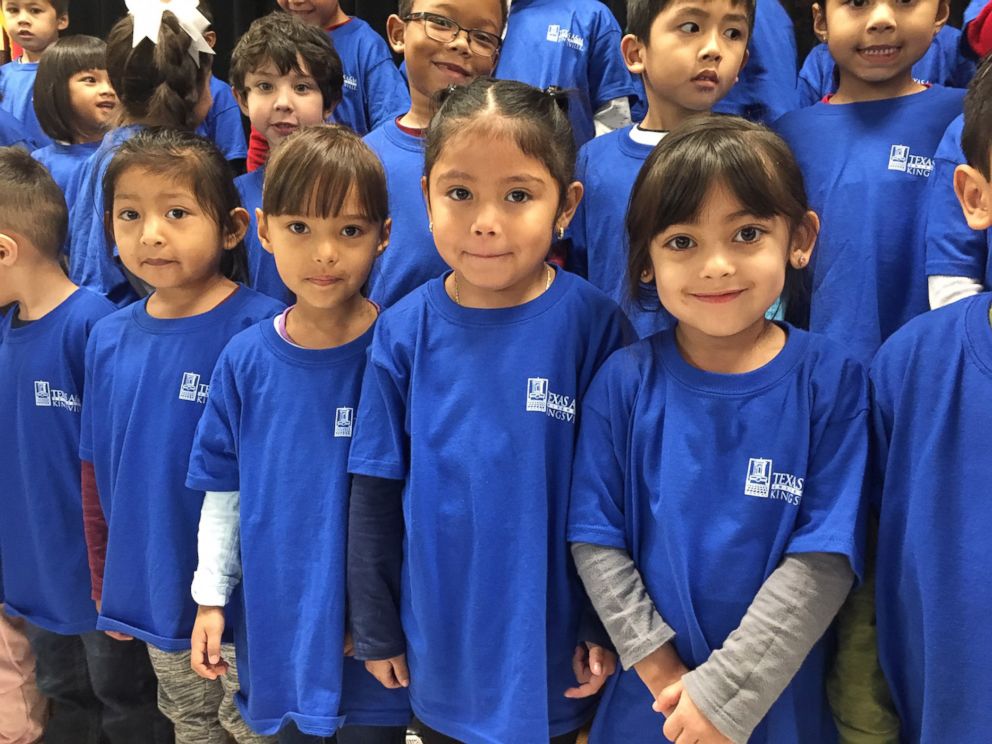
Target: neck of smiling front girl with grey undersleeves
[{"x": 745, "y": 351}]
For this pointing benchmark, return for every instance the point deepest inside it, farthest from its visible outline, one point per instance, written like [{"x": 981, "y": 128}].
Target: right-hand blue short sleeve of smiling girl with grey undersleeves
[{"x": 831, "y": 515}]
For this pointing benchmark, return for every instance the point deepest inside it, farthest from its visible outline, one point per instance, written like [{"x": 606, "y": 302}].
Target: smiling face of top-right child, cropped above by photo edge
[{"x": 875, "y": 43}]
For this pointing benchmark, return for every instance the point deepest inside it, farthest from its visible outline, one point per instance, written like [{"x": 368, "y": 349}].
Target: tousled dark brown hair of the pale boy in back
[{"x": 283, "y": 39}]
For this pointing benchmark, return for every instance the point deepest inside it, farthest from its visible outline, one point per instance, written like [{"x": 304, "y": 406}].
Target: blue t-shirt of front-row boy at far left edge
[{"x": 46, "y": 574}]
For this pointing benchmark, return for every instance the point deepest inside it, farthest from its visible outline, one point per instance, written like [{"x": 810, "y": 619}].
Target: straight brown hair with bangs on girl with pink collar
[{"x": 313, "y": 170}]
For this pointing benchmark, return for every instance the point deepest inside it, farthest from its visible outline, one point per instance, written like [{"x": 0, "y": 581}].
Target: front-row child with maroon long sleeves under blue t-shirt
[{"x": 174, "y": 213}]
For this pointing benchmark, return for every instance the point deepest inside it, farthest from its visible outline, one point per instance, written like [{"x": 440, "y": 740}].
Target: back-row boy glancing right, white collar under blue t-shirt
[{"x": 688, "y": 61}]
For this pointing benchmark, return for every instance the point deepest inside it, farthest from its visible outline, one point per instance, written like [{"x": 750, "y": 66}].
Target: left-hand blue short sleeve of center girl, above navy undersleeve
[{"x": 380, "y": 446}]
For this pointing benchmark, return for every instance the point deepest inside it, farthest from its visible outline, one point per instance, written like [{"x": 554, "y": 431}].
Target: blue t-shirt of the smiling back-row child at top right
[{"x": 866, "y": 167}]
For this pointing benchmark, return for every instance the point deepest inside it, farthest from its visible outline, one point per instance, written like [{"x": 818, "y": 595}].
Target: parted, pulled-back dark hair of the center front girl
[{"x": 536, "y": 121}]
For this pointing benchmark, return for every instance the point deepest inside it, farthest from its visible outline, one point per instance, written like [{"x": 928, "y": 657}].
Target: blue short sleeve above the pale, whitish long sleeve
[{"x": 213, "y": 461}]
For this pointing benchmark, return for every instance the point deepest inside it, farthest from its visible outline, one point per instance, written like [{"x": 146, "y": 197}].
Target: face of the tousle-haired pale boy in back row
[{"x": 278, "y": 104}]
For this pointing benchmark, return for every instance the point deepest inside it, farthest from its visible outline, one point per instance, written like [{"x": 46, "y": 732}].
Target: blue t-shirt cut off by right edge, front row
[{"x": 932, "y": 384}]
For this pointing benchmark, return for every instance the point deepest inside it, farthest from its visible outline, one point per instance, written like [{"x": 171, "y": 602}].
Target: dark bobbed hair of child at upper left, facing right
[{"x": 62, "y": 60}]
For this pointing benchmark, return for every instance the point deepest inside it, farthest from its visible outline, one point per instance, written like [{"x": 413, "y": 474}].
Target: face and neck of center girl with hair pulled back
[{"x": 494, "y": 210}]
